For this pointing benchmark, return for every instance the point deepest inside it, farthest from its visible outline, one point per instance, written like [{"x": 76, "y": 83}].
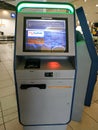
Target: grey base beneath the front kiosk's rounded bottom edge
[{"x": 53, "y": 127}]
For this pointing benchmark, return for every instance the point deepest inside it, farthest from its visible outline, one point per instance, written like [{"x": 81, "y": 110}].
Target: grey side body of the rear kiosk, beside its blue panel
[{"x": 83, "y": 70}]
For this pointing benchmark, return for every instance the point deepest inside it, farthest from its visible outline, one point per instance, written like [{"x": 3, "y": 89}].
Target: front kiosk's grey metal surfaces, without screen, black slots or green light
[{"x": 51, "y": 105}]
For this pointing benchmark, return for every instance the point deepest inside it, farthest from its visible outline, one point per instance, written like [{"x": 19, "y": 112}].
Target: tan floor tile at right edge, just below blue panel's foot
[{"x": 92, "y": 111}]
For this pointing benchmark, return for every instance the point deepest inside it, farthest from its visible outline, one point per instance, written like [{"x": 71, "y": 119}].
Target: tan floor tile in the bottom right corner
[{"x": 86, "y": 123}]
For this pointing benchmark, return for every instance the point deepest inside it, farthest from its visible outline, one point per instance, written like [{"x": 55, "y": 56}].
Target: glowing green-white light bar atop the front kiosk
[{"x": 45, "y": 5}]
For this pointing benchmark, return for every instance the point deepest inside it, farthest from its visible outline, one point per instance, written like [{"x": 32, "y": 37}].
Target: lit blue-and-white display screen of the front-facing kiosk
[{"x": 45, "y": 35}]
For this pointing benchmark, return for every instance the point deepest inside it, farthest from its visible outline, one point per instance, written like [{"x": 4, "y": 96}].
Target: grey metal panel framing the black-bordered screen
[{"x": 71, "y": 35}]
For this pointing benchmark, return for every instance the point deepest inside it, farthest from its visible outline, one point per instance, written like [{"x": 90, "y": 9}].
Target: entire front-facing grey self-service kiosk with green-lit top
[{"x": 44, "y": 64}]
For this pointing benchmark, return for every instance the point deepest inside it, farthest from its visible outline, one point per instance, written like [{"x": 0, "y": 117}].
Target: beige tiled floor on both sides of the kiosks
[{"x": 8, "y": 106}]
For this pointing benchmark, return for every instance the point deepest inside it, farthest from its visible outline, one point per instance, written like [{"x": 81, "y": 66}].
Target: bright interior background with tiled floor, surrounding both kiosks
[{"x": 8, "y": 105}]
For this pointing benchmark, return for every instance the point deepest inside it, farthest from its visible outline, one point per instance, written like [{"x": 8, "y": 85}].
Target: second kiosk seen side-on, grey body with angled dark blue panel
[{"x": 87, "y": 62}]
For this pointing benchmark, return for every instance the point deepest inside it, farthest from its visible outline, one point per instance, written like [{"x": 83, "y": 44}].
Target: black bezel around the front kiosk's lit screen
[{"x": 45, "y": 18}]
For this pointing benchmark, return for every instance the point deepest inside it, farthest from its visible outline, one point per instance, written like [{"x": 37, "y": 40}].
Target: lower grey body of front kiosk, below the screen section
[{"x": 45, "y": 94}]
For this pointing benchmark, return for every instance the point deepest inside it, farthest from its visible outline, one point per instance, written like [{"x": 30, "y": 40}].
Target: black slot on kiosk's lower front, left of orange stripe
[{"x": 26, "y": 86}]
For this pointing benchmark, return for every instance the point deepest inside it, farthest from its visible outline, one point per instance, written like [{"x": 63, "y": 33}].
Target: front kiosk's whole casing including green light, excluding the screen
[{"x": 45, "y": 95}]
